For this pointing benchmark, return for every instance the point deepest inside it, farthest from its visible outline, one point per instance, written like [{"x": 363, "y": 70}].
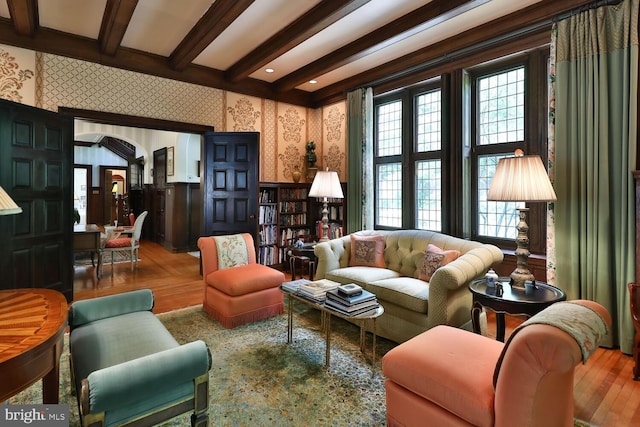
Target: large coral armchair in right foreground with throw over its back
[{"x": 448, "y": 376}]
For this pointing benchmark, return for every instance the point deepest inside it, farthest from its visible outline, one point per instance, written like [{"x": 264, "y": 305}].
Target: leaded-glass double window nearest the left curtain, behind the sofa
[{"x": 400, "y": 203}]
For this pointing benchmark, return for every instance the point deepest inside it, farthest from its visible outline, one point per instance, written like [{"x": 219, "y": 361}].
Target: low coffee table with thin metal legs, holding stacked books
[{"x": 325, "y": 324}]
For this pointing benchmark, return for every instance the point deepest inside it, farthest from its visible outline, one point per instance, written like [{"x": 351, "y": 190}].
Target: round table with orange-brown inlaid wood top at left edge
[{"x": 32, "y": 326}]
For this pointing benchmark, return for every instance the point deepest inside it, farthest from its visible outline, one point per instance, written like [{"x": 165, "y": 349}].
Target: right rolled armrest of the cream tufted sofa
[{"x": 449, "y": 299}]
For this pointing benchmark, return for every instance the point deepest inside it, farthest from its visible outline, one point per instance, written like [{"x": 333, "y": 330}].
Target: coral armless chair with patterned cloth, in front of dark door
[{"x": 238, "y": 290}]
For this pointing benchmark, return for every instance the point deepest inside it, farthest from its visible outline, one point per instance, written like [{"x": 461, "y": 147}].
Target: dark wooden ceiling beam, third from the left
[{"x": 219, "y": 16}]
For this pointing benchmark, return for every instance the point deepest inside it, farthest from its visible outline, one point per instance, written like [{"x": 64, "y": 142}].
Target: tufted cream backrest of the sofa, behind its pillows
[{"x": 404, "y": 249}]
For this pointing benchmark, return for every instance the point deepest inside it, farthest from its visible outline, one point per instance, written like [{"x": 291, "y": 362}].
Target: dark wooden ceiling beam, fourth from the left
[{"x": 312, "y": 22}]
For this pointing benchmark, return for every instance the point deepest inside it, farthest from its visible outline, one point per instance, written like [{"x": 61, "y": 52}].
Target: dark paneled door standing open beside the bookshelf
[{"x": 229, "y": 183}]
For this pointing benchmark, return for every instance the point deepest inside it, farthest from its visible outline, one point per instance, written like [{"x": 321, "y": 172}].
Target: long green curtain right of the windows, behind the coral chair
[{"x": 592, "y": 159}]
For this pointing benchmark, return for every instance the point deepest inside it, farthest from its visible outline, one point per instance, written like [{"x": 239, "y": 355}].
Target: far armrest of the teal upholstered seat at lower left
[{"x": 81, "y": 312}]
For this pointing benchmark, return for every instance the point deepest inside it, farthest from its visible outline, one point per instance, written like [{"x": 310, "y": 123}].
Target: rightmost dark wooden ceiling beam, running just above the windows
[{"x": 516, "y": 24}]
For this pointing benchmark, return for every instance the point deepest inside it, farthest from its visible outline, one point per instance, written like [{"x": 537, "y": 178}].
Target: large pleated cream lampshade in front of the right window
[{"x": 521, "y": 179}]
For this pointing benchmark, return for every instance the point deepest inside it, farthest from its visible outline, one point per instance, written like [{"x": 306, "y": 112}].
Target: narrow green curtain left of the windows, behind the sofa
[{"x": 360, "y": 154}]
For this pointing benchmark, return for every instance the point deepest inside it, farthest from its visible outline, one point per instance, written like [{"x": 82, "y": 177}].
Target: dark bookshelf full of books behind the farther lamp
[{"x": 287, "y": 211}]
